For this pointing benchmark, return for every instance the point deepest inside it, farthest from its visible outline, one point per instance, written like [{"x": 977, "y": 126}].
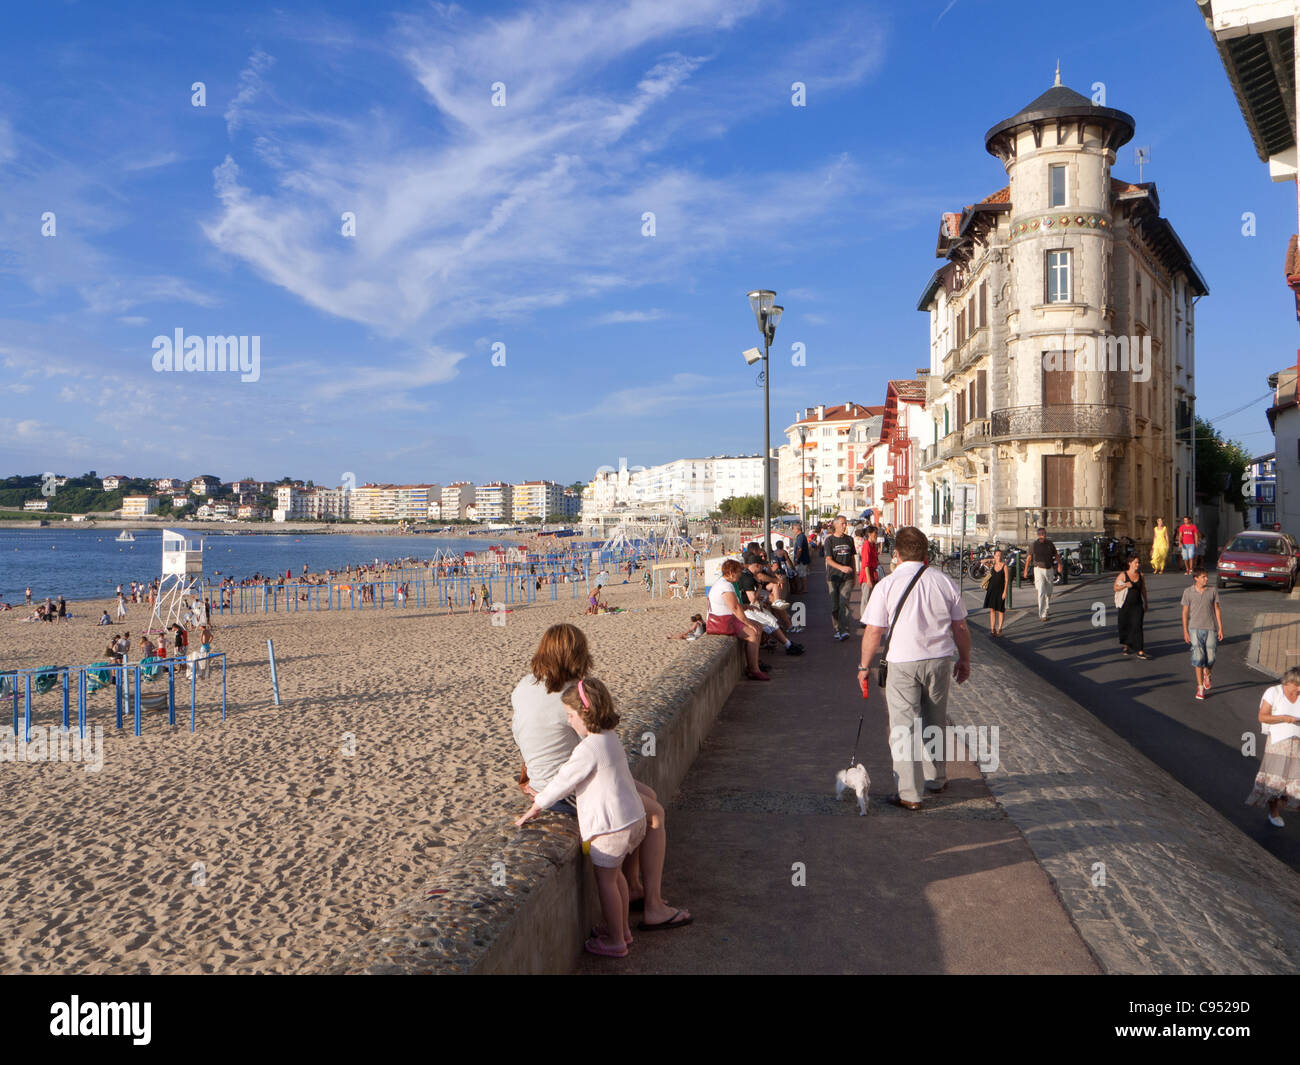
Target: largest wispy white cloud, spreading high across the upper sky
[{"x": 512, "y": 211}]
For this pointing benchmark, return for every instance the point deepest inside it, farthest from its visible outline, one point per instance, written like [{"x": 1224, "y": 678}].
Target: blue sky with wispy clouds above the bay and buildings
[{"x": 522, "y": 226}]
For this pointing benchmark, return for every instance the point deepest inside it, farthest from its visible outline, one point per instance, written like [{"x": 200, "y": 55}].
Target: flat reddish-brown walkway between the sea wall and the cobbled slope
[{"x": 951, "y": 890}]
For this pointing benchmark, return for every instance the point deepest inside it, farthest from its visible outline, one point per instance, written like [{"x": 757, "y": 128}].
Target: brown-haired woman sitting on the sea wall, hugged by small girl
[{"x": 545, "y": 741}]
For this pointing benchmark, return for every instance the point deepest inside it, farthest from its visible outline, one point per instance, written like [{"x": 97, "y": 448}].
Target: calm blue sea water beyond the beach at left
[{"x": 89, "y": 564}]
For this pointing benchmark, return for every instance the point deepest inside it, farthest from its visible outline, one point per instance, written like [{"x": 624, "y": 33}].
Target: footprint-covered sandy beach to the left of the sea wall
[{"x": 302, "y": 845}]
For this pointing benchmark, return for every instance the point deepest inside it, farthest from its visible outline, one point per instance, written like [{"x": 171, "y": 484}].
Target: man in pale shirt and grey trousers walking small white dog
[{"x": 930, "y": 629}]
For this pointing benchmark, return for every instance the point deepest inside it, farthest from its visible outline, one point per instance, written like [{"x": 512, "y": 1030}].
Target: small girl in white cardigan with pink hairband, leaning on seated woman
[{"x": 610, "y": 813}]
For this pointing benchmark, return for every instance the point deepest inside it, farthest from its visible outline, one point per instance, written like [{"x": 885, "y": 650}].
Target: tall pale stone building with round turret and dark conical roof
[{"x": 1061, "y": 336}]
